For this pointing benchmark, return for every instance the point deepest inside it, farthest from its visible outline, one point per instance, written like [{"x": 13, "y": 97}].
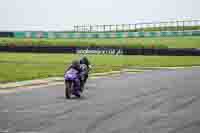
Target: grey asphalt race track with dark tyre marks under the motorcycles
[{"x": 159, "y": 101}]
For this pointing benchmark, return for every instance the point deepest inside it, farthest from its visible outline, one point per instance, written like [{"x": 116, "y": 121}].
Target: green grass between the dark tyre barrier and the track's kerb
[{"x": 26, "y": 66}]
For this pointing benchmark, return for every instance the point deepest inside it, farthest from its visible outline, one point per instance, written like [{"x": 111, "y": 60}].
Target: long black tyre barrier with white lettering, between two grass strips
[{"x": 103, "y": 50}]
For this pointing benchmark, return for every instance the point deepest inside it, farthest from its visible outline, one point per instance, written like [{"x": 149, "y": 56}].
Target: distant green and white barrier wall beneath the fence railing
[{"x": 105, "y": 34}]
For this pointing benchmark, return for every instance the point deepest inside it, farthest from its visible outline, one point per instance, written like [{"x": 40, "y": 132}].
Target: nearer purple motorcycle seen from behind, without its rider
[{"x": 70, "y": 83}]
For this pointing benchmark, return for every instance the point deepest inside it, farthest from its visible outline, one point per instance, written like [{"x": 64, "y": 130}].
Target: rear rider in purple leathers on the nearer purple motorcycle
[{"x": 75, "y": 65}]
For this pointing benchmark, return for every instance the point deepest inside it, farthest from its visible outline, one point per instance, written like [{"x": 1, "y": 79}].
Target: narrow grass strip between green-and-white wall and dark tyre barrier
[{"x": 159, "y": 42}]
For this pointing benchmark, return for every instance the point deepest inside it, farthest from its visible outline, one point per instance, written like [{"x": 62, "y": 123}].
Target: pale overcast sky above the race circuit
[{"x": 63, "y": 14}]
